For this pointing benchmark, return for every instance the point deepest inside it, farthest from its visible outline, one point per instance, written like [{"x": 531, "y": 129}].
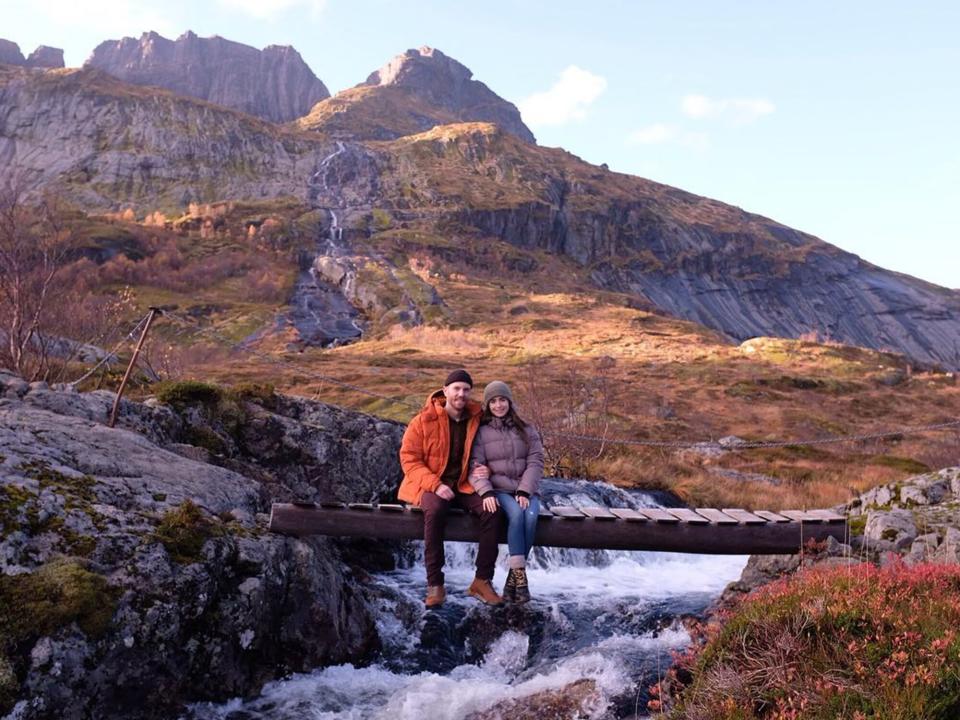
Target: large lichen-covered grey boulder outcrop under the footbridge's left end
[{"x": 151, "y": 541}]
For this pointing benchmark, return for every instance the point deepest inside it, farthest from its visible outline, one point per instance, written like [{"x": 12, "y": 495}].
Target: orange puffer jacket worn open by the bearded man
[{"x": 426, "y": 448}]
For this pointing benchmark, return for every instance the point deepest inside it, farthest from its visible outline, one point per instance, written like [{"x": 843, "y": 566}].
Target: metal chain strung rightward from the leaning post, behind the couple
[{"x": 194, "y": 327}]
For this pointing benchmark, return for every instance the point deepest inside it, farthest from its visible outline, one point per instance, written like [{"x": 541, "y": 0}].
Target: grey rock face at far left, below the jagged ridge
[{"x": 106, "y": 144}]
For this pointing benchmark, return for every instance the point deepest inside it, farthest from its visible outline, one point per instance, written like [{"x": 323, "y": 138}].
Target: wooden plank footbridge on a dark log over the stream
[{"x": 703, "y": 530}]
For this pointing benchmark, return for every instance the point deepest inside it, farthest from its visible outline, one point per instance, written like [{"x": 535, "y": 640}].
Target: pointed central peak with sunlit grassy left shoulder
[{"x": 413, "y": 92}]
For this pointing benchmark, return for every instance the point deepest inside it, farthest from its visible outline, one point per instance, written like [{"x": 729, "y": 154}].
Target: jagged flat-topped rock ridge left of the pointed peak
[{"x": 274, "y": 83}]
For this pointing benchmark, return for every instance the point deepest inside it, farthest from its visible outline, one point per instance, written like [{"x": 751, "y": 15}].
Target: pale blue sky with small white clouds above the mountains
[{"x": 841, "y": 119}]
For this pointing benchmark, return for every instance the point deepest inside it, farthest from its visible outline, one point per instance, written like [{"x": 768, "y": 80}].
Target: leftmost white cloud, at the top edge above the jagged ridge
[{"x": 110, "y": 17}]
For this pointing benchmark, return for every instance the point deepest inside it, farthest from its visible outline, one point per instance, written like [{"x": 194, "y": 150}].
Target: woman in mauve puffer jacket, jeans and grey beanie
[{"x": 507, "y": 464}]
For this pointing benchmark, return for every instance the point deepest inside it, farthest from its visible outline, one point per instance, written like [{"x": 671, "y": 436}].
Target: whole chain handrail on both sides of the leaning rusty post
[{"x": 191, "y": 326}]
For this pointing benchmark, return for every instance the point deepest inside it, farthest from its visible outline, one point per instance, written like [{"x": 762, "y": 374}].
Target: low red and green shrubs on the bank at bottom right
[{"x": 858, "y": 643}]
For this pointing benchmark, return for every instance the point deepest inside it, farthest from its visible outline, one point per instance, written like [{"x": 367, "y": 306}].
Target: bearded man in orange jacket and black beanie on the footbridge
[{"x": 434, "y": 457}]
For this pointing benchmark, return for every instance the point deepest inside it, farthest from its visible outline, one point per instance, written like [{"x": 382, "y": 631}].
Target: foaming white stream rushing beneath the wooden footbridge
[{"x": 611, "y": 617}]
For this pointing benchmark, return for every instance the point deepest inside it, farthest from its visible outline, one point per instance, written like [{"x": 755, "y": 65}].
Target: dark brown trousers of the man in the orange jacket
[{"x": 435, "y": 523}]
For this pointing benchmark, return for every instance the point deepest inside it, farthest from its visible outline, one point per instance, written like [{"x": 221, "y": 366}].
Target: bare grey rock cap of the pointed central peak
[{"x": 441, "y": 81}]
